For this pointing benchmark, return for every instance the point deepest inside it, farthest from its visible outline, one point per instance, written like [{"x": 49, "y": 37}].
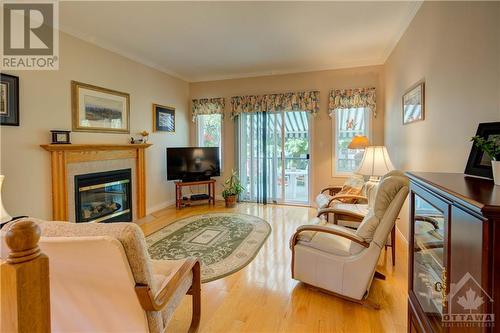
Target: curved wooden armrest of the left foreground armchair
[{"x": 150, "y": 302}]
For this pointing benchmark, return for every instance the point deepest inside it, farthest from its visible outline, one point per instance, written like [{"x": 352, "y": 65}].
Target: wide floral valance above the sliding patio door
[{"x": 296, "y": 101}]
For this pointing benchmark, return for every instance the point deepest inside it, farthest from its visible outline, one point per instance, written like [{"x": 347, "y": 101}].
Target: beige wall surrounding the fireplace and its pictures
[{"x": 45, "y": 105}]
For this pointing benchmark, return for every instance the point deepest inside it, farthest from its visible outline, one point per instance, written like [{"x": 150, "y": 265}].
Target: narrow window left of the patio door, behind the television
[{"x": 209, "y": 131}]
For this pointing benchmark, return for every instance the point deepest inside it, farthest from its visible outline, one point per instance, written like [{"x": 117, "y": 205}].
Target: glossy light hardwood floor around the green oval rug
[{"x": 262, "y": 297}]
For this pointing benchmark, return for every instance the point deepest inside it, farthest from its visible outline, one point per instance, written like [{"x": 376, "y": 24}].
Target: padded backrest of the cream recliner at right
[{"x": 386, "y": 204}]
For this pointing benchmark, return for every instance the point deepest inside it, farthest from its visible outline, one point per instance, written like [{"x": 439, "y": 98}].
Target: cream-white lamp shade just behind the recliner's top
[{"x": 375, "y": 162}]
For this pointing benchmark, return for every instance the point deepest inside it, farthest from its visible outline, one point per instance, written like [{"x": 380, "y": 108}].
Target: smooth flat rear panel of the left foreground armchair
[{"x": 92, "y": 286}]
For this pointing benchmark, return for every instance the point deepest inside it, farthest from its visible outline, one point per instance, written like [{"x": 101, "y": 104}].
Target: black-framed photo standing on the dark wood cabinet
[{"x": 479, "y": 163}]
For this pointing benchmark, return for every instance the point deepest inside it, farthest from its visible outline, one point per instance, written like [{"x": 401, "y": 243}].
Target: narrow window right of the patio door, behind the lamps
[{"x": 348, "y": 123}]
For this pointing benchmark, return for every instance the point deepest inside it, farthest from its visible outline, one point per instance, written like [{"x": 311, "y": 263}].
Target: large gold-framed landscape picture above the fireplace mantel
[{"x": 97, "y": 109}]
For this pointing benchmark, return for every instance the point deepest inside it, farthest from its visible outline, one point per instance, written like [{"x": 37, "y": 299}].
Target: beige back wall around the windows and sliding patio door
[{"x": 324, "y": 81}]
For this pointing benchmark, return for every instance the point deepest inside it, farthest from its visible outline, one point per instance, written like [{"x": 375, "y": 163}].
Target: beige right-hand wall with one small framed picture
[{"x": 454, "y": 46}]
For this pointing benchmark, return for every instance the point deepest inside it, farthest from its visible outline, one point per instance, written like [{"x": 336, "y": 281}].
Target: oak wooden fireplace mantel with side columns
[{"x": 63, "y": 154}]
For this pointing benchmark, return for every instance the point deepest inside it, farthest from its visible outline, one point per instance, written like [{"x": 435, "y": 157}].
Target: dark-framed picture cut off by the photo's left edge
[{"x": 9, "y": 100}]
